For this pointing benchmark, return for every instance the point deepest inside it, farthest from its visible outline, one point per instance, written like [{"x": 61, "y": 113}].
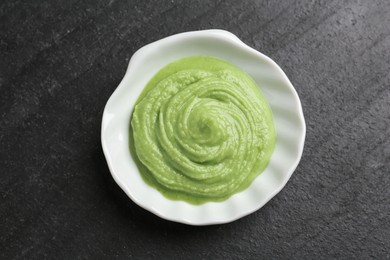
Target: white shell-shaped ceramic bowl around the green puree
[{"x": 274, "y": 84}]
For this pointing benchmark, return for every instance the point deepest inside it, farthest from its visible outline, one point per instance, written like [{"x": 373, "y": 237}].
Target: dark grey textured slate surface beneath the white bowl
[{"x": 61, "y": 60}]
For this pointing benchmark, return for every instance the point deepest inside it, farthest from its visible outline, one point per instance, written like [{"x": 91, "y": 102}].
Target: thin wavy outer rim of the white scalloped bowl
[{"x": 136, "y": 59}]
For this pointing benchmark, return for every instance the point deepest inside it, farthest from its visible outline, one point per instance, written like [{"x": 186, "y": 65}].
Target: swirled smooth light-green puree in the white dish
[{"x": 201, "y": 130}]
